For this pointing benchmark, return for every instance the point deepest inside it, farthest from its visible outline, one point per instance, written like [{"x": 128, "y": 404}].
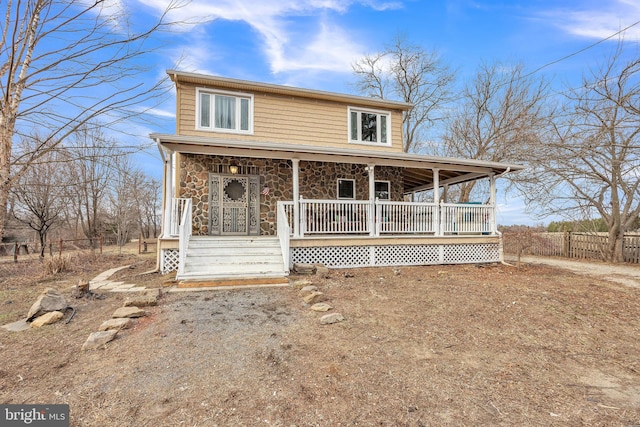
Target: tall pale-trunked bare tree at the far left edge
[{"x": 64, "y": 63}]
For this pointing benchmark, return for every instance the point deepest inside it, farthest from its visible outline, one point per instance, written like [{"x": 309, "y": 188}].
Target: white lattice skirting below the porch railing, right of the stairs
[{"x": 390, "y": 255}]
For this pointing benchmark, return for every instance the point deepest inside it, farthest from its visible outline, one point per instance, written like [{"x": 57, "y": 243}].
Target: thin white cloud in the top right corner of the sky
[{"x": 599, "y": 20}]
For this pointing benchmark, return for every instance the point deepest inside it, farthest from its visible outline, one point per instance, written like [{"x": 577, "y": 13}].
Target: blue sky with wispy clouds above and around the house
[{"x": 312, "y": 43}]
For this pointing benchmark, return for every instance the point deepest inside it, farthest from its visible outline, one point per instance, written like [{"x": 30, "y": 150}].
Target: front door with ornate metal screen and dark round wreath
[{"x": 234, "y": 201}]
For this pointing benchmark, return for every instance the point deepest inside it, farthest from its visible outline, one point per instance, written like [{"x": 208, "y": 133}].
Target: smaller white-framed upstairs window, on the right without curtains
[{"x": 369, "y": 127}]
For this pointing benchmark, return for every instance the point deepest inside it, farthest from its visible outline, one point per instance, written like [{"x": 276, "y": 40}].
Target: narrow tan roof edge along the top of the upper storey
[{"x": 249, "y": 86}]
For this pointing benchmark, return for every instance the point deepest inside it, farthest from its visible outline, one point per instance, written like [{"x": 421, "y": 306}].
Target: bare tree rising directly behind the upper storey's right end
[{"x": 411, "y": 74}]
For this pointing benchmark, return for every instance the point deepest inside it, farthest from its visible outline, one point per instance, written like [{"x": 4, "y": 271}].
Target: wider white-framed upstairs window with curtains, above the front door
[{"x": 225, "y": 111}]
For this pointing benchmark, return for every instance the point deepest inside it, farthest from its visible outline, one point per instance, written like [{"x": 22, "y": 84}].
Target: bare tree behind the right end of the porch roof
[{"x": 502, "y": 111}]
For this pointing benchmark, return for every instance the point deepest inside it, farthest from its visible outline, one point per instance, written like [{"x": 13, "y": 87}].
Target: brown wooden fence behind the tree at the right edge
[{"x": 569, "y": 245}]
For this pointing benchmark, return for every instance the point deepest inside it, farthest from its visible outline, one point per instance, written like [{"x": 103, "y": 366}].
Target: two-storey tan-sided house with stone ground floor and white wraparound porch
[{"x": 259, "y": 176}]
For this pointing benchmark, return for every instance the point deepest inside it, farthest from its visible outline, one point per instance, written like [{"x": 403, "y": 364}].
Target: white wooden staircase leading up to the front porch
[{"x": 233, "y": 261}]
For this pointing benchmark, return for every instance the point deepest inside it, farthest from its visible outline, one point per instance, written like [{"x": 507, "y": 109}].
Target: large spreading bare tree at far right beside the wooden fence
[{"x": 590, "y": 166}]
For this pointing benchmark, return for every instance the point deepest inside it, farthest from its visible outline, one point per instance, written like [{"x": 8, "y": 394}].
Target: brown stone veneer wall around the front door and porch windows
[{"x": 318, "y": 180}]
